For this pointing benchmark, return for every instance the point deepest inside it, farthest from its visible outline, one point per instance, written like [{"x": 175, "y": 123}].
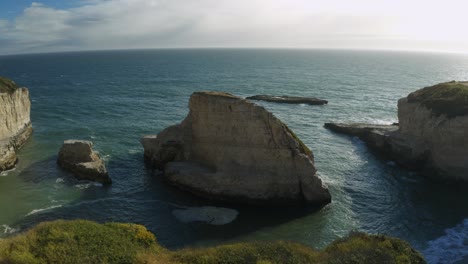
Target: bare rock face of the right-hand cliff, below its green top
[{"x": 440, "y": 140}]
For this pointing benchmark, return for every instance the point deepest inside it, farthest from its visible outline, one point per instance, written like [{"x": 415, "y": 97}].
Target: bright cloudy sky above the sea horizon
[{"x": 74, "y": 25}]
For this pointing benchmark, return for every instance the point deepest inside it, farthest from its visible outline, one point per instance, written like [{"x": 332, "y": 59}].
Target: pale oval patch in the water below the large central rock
[{"x": 208, "y": 214}]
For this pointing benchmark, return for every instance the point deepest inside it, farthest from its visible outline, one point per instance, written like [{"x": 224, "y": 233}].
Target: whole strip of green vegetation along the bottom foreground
[{"x": 81, "y": 241}]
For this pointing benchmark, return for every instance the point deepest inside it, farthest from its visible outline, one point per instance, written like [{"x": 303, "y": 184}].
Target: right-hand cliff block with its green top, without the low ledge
[{"x": 439, "y": 137}]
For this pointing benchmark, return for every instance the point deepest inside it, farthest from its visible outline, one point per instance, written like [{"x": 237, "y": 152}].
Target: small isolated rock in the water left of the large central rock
[{"x": 78, "y": 157}]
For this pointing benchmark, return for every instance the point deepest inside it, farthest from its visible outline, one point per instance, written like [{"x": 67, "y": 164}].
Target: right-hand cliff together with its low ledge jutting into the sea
[{"x": 432, "y": 134}]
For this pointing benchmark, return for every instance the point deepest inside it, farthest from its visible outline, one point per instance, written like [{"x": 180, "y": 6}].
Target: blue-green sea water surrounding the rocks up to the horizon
[{"x": 115, "y": 97}]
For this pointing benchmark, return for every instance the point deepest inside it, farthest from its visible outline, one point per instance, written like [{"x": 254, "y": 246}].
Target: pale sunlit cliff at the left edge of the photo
[{"x": 15, "y": 122}]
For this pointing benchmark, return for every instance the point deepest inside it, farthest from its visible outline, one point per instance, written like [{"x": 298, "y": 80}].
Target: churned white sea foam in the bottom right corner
[{"x": 449, "y": 248}]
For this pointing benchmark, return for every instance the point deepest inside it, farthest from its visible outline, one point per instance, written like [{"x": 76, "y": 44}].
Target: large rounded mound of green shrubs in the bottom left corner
[{"x": 78, "y": 241}]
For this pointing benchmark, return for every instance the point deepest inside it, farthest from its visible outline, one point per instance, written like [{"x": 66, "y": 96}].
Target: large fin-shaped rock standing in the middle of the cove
[{"x": 232, "y": 150}]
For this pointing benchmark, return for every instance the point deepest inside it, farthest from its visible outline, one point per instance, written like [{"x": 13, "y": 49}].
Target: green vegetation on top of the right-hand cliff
[{"x": 450, "y": 99}]
